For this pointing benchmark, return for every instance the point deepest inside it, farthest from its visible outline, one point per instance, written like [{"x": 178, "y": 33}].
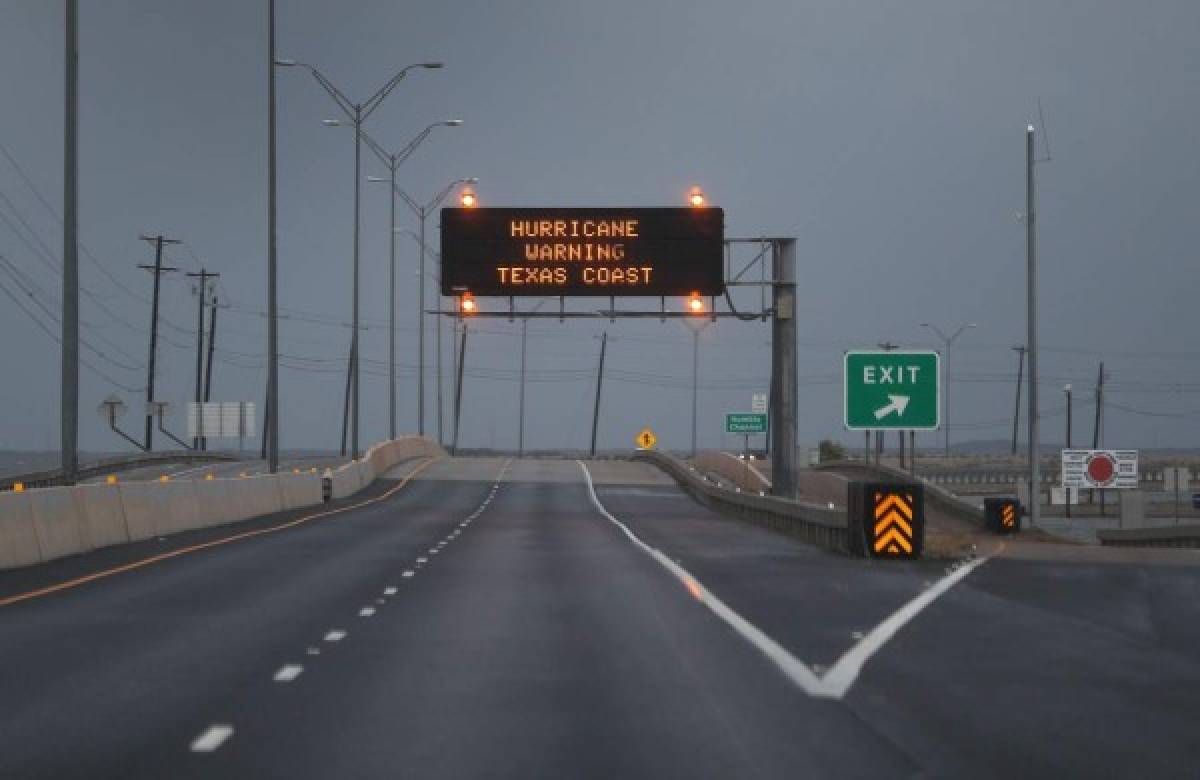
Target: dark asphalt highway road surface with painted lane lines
[{"x": 489, "y": 617}]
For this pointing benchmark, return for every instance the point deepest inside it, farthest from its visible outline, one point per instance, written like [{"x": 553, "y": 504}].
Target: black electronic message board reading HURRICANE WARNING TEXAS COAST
[{"x": 583, "y": 251}]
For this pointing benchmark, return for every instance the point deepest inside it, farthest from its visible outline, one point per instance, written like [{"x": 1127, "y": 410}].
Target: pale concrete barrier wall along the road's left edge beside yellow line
[{"x": 47, "y": 524}]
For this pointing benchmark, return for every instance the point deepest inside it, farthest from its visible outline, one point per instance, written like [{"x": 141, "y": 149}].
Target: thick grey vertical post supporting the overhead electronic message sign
[{"x": 783, "y": 375}]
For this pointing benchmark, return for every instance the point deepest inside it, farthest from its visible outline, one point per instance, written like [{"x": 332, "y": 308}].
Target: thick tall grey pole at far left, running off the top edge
[{"x": 70, "y": 394}]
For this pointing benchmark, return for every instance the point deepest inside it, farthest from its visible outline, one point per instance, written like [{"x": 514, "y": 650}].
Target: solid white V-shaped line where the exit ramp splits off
[{"x": 837, "y": 681}]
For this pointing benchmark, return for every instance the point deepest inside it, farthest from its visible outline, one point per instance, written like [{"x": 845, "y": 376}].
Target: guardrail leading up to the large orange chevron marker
[{"x": 815, "y": 525}]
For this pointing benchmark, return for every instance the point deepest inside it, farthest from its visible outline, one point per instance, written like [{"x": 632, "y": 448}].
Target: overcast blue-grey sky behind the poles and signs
[{"x": 887, "y": 137}]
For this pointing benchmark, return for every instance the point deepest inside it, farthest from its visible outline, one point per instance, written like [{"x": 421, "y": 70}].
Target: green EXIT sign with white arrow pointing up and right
[{"x": 892, "y": 391}]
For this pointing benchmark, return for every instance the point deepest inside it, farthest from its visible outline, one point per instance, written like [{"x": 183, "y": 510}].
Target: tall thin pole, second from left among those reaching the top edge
[{"x": 272, "y": 433}]
